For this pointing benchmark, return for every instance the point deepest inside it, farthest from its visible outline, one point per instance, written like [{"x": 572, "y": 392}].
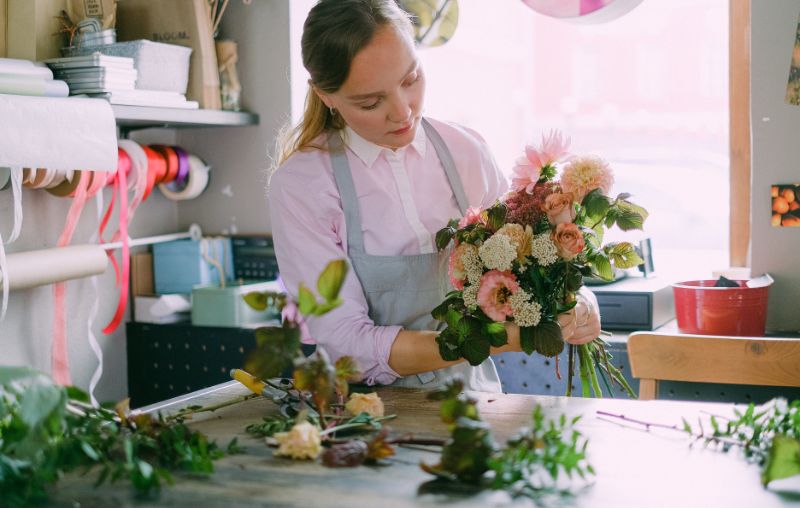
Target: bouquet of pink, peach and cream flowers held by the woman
[{"x": 523, "y": 260}]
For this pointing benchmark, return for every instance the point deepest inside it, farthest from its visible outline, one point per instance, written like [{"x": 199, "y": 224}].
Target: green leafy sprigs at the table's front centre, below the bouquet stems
[{"x": 538, "y": 460}]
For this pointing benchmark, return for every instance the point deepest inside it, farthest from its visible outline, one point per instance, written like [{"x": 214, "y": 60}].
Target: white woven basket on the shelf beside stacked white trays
[{"x": 159, "y": 66}]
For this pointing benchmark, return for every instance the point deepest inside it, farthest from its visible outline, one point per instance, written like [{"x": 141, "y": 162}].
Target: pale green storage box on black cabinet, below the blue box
[{"x": 216, "y": 306}]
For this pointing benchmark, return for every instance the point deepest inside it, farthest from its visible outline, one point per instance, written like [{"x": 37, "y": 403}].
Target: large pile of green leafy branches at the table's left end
[{"x": 47, "y": 430}]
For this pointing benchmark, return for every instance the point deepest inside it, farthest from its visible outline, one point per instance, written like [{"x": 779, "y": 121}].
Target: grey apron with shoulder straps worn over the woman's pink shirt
[{"x": 402, "y": 290}]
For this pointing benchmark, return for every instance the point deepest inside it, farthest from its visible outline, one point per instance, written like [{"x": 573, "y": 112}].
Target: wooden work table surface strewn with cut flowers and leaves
[{"x": 635, "y": 468}]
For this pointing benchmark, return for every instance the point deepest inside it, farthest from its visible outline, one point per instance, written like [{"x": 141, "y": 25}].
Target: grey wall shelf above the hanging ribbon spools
[{"x": 143, "y": 117}]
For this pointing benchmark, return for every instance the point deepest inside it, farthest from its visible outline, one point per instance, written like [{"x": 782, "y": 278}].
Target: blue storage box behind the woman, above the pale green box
[{"x": 179, "y": 265}]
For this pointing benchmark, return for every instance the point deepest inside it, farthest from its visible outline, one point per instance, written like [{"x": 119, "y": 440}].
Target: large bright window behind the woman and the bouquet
[{"x": 648, "y": 92}]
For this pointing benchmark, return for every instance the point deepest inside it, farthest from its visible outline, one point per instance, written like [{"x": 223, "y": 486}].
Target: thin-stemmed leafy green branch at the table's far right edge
[{"x": 768, "y": 435}]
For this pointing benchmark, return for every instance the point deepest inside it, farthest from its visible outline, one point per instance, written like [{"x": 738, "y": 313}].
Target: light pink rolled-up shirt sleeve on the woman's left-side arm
[{"x": 308, "y": 230}]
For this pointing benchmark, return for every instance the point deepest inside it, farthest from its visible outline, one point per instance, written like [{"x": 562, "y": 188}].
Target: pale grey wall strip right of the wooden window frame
[{"x": 775, "y": 156}]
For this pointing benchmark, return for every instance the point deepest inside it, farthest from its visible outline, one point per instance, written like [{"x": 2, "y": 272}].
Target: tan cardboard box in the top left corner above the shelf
[{"x": 32, "y": 29}]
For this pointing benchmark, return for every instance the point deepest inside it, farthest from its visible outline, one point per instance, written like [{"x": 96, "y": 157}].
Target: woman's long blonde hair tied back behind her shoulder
[{"x": 333, "y": 33}]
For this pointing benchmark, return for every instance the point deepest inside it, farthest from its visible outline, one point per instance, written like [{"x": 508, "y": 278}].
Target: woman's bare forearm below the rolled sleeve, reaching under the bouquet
[{"x": 414, "y": 352}]
